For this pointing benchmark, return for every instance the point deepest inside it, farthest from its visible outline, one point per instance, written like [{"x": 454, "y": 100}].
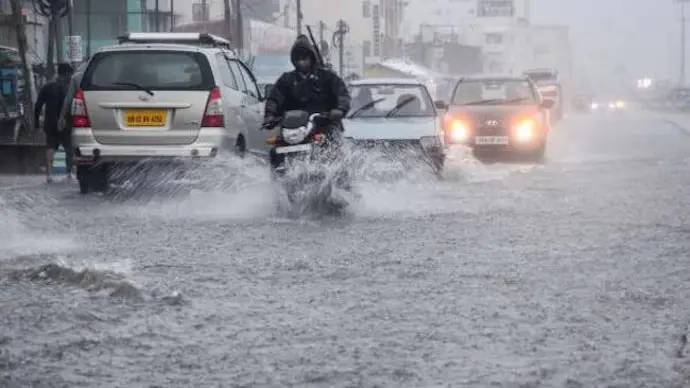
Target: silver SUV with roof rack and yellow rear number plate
[{"x": 161, "y": 97}]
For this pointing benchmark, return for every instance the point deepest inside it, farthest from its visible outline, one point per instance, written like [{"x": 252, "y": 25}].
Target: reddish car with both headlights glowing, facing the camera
[{"x": 497, "y": 115}]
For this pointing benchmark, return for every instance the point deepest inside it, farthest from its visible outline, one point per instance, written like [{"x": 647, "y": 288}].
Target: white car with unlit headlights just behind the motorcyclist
[{"x": 398, "y": 117}]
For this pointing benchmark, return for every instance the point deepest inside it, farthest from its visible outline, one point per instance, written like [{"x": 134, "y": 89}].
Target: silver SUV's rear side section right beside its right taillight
[{"x": 232, "y": 98}]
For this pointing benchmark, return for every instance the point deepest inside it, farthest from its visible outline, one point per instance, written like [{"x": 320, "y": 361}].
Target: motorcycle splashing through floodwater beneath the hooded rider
[{"x": 304, "y": 163}]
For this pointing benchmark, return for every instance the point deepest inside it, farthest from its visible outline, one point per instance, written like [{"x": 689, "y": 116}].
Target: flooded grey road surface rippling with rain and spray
[{"x": 571, "y": 274}]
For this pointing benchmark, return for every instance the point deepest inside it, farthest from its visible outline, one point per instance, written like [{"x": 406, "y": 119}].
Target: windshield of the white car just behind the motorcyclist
[{"x": 391, "y": 100}]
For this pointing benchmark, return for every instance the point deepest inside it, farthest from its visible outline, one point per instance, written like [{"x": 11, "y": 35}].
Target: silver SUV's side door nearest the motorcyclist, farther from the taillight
[{"x": 253, "y": 104}]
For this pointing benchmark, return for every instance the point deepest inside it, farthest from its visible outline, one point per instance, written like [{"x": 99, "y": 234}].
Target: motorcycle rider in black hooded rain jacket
[{"x": 310, "y": 87}]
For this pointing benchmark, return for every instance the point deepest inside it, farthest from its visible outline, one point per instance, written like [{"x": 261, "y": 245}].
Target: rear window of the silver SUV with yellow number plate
[{"x": 154, "y": 70}]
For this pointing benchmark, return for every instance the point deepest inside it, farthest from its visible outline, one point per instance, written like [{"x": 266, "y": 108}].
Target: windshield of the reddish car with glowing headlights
[{"x": 494, "y": 92}]
